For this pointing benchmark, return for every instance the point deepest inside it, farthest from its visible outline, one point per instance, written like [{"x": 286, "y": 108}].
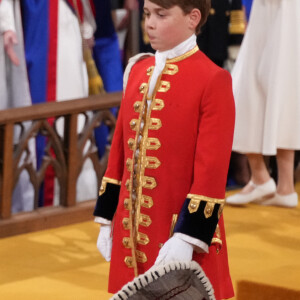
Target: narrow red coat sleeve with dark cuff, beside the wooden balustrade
[{"x": 111, "y": 182}]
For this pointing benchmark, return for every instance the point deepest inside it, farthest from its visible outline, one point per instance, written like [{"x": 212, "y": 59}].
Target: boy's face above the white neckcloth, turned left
[{"x": 166, "y": 28}]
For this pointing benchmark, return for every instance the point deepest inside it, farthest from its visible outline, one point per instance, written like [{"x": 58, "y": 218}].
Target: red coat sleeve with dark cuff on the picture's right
[{"x": 203, "y": 206}]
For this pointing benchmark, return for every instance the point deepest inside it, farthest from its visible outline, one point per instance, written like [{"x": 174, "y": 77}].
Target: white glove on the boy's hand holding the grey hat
[{"x": 175, "y": 249}]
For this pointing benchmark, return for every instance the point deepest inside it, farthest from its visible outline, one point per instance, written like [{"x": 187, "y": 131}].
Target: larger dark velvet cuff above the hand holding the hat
[{"x": 196, "y": 224}]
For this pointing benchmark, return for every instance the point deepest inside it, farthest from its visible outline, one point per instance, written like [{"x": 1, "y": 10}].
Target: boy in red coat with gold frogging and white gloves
[{"x": 162, "y": 195}]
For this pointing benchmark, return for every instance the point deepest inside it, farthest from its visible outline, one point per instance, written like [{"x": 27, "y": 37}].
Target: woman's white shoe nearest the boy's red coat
[{"x": 258, "y": 194}]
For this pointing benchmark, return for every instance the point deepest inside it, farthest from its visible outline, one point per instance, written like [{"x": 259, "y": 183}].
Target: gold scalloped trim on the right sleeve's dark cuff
[{"x": 209, "y": 207}]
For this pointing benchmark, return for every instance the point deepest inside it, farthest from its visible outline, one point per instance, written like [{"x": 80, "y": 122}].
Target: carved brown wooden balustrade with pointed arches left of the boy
[{"x": 66, "y": 152}]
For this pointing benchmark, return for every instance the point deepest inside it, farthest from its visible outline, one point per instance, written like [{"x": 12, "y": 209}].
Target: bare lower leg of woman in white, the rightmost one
[{"x": 285, "y": 166}]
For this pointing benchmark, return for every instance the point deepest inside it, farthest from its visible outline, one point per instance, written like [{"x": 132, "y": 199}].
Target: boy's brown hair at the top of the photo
[{"x": 187, "y": 6}]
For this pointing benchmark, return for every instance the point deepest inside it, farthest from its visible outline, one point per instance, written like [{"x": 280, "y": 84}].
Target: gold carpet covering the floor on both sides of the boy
[{"x": 63, "y": 263}]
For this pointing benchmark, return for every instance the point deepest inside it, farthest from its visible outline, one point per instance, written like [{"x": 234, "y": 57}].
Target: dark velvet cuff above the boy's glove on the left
[{"x": 107, "y": 203}]
